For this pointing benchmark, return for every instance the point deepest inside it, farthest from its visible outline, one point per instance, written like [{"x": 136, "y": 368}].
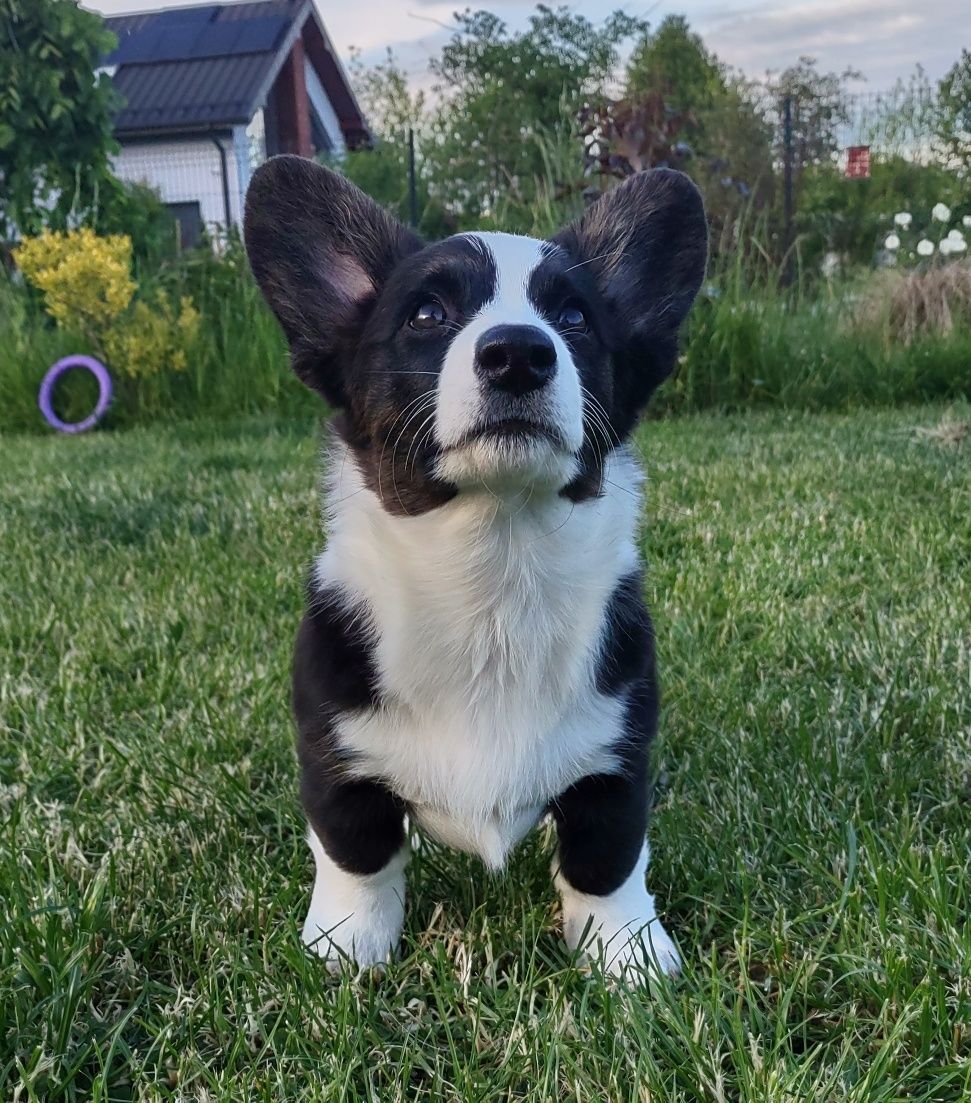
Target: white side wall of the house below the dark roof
[{"x": 187, "y": 173}]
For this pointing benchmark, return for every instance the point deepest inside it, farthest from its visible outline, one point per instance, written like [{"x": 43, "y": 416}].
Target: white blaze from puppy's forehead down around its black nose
[{"x": 462, "y": 398}]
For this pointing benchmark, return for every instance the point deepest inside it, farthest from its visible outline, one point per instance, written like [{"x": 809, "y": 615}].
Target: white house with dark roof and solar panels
[{"x": 210, "y": 92}]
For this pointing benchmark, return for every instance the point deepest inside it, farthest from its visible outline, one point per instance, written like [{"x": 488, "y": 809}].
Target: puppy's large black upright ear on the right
[{"x": 646, "y": 243}]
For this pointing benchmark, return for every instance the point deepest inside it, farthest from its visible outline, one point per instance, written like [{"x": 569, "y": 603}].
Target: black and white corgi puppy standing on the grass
[{"x": 476, "y": 651}]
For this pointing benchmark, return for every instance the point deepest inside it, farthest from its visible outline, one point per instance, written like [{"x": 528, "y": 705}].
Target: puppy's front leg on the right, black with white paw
[{"x": 602, "y": 865}]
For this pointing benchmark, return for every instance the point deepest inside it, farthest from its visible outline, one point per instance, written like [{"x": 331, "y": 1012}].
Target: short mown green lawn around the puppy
[{"x": 812, "y": 584}]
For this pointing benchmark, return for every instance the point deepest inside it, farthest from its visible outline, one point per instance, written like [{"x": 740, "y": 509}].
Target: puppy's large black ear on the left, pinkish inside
[{"x": 319, "y": 250}]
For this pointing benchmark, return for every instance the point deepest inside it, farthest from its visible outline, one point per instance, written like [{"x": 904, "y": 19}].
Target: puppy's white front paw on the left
[{"x": 354, "y": 919}]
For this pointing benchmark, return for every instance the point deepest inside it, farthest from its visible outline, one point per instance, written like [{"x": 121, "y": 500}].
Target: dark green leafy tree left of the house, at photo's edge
[{"x": 56, "y": 113}]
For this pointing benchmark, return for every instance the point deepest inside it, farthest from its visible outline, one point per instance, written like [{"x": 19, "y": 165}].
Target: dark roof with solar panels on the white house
[{"x": 209, "y": 67}]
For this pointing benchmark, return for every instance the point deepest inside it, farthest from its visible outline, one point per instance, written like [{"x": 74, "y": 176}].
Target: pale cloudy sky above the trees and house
[{"x": 883, "y": 39}]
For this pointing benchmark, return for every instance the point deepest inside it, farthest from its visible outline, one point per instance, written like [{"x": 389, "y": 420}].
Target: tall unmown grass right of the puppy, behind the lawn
[{"x": 881, "y": 339}]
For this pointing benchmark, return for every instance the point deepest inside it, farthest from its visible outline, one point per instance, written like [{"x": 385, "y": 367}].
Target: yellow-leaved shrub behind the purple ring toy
[{"x": 88, "y": 286}]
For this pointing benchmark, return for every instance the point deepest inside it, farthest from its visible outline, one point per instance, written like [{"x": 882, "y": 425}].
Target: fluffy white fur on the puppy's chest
[{"x": 488, "y": 624}]
